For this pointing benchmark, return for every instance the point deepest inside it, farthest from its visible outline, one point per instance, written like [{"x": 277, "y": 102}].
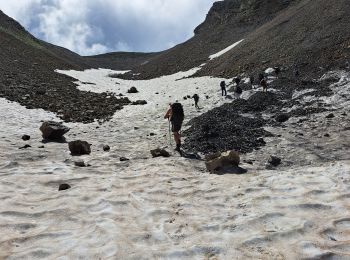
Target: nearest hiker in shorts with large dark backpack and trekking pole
[{"x": 175, "y": 115}]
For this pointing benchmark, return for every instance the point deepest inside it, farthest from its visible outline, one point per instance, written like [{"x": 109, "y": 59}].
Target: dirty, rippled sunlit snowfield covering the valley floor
[{"x": 171, "y": 208}]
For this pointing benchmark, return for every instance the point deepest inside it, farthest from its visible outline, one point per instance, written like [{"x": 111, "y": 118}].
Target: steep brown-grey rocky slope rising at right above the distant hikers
[{"x": 276, "y": 32}]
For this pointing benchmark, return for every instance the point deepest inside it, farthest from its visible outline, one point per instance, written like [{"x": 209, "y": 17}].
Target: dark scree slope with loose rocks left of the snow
[{"x": 28, "y": 76}]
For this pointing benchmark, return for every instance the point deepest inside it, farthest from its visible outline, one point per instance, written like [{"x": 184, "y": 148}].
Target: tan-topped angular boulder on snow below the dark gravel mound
[{"x": 220, "y": 160}]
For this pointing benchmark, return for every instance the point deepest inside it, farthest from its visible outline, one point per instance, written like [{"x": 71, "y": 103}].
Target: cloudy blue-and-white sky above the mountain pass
[{"x": 91, "y": 27}]
